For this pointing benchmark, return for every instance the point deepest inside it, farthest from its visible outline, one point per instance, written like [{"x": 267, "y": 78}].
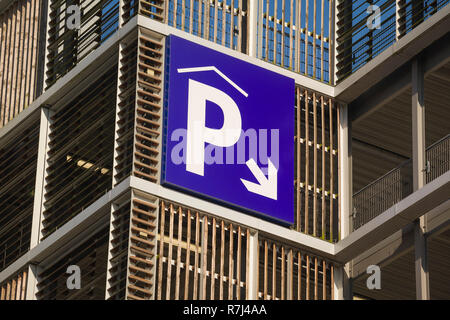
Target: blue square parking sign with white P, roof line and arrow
[{"x": 229, "y": 131}]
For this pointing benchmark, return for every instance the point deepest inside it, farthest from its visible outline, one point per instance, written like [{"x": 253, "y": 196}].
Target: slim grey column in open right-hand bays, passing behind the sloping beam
[{"x": 418, "y": 157}]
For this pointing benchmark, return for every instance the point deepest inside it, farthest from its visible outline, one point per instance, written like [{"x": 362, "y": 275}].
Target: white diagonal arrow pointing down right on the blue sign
[{"x": 267, "y": 186}]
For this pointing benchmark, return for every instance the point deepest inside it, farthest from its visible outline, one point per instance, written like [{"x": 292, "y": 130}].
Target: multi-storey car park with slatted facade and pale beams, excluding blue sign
[{"x": 81, "y": 149}]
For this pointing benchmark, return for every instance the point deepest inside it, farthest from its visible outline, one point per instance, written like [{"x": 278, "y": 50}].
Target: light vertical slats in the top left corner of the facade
[{"x": 20, "y": 47}]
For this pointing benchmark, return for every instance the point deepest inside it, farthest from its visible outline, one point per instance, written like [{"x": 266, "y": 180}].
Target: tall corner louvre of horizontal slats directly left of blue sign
[{"x": 138, "y": 150}]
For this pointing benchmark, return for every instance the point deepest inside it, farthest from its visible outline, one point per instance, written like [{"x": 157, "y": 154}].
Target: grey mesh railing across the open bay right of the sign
[{"x": 395, "y": 185}]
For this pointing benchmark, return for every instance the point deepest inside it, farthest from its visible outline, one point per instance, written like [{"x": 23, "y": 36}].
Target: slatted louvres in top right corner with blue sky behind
[{"x": 360, "y": 38}]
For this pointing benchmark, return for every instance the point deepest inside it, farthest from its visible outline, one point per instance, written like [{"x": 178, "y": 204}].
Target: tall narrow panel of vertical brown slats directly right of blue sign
[{"x": 316, "y": 168}]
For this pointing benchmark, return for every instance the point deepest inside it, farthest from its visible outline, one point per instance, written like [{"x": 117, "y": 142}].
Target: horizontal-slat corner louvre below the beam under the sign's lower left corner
[{"x": 132, "y": 248}]
